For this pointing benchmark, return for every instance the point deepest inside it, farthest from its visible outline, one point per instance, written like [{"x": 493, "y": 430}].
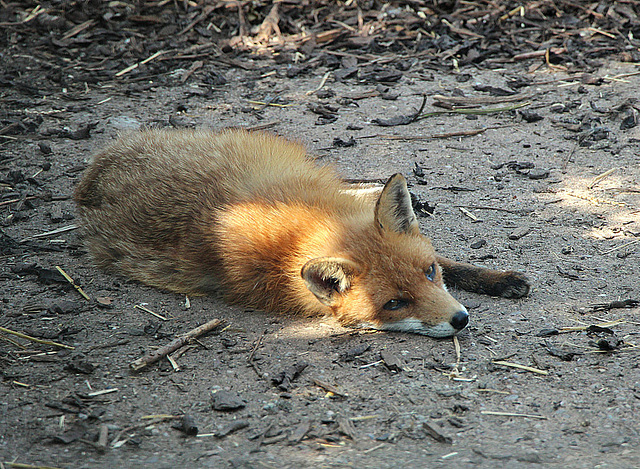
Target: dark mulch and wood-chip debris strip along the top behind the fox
[{"x": 78, "y": 43}]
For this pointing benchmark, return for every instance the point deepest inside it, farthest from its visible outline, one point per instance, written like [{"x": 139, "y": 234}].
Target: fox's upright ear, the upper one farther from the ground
[{"x": 393, "y": 209}]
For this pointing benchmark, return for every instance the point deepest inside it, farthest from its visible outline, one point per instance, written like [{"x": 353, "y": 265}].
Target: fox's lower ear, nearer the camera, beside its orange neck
[{"x": 329, "y": 277}]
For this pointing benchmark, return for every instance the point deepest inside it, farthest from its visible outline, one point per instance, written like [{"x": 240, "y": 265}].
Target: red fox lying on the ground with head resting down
[{"x": 251, "y": 216}]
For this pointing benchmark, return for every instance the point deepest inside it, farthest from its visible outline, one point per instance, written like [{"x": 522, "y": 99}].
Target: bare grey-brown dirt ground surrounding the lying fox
[{"x": 550, "y": 187}]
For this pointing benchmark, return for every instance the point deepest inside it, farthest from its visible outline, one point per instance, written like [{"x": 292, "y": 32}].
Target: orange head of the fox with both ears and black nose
[{"x": 385, "y": 274}]
